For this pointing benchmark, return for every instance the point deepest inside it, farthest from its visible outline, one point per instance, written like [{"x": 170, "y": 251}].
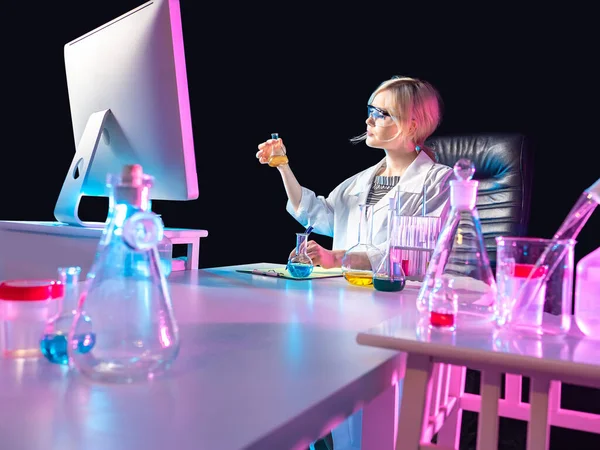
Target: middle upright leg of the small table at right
[{"x": 487, "y": 427}]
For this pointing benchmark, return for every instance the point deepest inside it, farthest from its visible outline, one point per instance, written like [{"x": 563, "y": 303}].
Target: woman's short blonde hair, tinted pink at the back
[{"x": 416, "y": 103}]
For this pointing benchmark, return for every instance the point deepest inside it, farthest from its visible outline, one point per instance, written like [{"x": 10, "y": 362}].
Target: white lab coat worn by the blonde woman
[{"x": 338, "y": 216}]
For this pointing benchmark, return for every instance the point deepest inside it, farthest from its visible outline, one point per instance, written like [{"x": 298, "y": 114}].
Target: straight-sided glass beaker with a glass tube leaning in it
[{"x": 528, "y": 299}]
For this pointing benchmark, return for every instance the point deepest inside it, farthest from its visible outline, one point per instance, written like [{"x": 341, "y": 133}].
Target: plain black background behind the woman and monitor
[{"x": 306, "y": 72}]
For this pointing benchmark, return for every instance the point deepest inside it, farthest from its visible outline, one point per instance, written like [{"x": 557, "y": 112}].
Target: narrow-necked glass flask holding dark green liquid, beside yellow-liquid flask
[{"x": 389, "y": 276}]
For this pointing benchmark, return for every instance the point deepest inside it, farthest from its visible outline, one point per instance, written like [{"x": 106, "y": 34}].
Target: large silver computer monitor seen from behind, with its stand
[{"x": 129, "y": 101}]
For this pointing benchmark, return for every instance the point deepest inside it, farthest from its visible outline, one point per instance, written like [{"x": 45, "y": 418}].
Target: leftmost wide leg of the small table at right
[{"x": 416, "y": 394}]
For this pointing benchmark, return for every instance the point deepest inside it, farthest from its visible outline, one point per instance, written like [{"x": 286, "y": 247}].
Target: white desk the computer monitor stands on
[{"x": 37, "y": 249}]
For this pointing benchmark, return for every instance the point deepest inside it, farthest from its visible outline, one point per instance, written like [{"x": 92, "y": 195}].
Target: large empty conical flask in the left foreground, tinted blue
[{"x": 127, "y": 297}]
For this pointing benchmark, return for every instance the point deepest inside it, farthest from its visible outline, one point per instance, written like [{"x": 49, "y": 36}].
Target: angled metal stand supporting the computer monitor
[{"x": 67, "y": 205}]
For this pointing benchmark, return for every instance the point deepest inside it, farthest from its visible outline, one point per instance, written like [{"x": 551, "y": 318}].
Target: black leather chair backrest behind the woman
[{"x": 504, "y": 168}]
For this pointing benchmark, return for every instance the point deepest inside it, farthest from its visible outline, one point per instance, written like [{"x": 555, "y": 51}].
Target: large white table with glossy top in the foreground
[{"x": 265, "y": 363}]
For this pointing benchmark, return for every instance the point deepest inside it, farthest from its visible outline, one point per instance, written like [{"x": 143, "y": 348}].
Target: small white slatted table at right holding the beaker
[{"x": 429, "y": 398}]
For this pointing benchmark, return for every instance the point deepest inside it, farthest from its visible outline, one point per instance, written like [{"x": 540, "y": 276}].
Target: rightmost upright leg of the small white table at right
[{"x": 538, "y": 428}]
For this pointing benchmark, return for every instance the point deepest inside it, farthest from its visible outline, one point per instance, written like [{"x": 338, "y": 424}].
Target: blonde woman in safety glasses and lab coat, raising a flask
[{"x": 402, "y": 113}]
